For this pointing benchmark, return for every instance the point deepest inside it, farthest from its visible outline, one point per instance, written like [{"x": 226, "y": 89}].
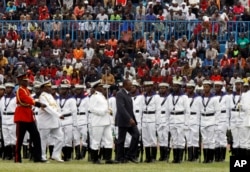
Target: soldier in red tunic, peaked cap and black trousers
[{"x": 25, "y": 120}]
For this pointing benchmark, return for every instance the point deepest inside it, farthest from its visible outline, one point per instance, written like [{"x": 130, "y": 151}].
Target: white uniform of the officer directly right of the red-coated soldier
[{"x": 50, "y": 125}]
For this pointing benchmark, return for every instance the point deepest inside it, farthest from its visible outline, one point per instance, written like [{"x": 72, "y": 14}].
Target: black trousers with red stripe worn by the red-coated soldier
[{"x": 21, "y": 128}]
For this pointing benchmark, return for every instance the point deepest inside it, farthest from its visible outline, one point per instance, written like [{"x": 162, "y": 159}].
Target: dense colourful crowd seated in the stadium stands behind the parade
[{"x": 84, "y": 41}]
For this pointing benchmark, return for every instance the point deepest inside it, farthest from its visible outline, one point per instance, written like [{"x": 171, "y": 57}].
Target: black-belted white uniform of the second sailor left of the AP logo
[{"x": 208, "y": 115}]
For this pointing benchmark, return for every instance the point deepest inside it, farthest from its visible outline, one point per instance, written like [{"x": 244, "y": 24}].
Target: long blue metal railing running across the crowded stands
[{"x": 133, "y": 28}]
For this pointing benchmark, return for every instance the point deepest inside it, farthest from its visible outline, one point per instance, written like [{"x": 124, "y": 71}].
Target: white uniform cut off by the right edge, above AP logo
[{"x": 246, "y": 108}]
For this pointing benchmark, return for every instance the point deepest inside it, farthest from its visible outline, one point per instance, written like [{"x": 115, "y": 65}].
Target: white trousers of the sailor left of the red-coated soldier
[{"x": 9, "y": 134}]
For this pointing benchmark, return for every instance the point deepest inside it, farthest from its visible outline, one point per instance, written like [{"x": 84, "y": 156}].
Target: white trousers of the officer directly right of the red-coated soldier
[{"x": 57, "y": 136}]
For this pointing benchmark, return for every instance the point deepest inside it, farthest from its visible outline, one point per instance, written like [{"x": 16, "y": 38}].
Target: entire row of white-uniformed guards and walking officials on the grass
[{"x": 64, "y": 123}]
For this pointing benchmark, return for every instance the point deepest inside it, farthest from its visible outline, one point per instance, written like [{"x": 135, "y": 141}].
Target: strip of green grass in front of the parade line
[{"x": 83, "y": 165}]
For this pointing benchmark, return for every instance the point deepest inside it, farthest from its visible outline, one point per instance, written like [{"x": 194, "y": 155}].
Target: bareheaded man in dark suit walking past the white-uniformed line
[{"x": 126, "y": 122}]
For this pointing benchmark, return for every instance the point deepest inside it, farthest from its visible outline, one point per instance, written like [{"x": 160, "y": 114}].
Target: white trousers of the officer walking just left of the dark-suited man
[{"x": 101, "y": 134}]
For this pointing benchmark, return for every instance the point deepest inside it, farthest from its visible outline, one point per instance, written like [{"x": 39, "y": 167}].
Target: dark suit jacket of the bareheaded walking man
[{"x": 125, "y": 111}]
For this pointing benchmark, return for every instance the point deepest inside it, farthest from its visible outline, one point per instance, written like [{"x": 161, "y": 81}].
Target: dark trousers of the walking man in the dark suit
[{"x": 122, "y": 132}]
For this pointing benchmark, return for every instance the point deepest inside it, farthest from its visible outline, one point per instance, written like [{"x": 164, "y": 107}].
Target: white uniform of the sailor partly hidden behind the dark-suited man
[{"x": 137, "y": 108}]
